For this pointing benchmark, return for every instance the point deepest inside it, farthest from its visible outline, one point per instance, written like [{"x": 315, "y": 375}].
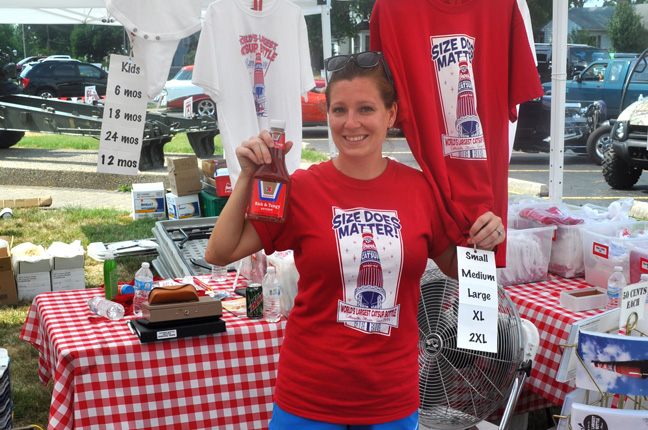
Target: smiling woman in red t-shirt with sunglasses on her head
[{"x": 362, "y": 228}]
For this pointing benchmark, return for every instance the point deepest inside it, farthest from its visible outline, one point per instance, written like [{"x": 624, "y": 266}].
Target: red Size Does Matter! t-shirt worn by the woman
[{"x": 350, "y": 349}]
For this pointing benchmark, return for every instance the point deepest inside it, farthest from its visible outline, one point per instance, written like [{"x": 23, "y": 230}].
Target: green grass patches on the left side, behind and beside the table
[{"x": 31, "y": 400}]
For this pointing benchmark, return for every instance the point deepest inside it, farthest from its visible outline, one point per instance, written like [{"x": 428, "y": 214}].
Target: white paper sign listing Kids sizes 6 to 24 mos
[{"x": 122, "y": 127}]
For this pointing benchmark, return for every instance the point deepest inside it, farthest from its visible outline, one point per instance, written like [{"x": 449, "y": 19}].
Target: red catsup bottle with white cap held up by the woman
[{"x": 271, "y": 182}]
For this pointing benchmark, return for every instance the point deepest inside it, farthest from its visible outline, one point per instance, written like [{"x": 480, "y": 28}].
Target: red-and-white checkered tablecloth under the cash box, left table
[{"x": 105, "y": 378}]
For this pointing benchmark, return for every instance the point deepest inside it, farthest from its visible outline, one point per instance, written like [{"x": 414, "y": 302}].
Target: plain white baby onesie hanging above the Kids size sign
[{"x": 158, "y": 27}]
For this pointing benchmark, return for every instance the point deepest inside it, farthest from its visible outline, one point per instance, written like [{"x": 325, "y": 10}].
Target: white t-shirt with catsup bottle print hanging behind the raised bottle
[{"x": 255, "y": 65}]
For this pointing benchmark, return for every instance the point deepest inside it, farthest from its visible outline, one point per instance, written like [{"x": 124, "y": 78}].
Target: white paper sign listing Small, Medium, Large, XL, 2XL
[{"x": 478, "y": 304}]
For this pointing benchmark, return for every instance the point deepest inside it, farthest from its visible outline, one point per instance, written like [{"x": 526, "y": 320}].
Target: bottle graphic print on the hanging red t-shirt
[{"x": 452, "y": 57}]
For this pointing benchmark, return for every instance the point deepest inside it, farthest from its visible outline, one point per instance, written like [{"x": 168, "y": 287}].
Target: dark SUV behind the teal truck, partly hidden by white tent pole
[{"x": 578, "y": 57}]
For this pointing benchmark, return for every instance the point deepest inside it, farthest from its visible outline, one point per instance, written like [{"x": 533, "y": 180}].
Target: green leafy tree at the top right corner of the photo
[{"x": 627, "y": 33}]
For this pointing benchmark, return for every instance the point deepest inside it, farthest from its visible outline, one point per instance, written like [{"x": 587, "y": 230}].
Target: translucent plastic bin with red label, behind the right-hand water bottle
[{"x": 602, "y": 249}]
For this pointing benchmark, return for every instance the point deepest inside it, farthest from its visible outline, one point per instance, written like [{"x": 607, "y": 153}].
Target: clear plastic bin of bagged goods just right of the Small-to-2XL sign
[{"x": 528, "y": 250}]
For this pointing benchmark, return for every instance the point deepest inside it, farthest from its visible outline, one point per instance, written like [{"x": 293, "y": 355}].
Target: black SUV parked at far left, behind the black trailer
[{"x": 62, "y": 78}]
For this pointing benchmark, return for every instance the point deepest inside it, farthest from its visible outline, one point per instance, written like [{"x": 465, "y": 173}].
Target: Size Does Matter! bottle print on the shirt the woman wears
[{"x": 370, "y": 250}]
